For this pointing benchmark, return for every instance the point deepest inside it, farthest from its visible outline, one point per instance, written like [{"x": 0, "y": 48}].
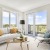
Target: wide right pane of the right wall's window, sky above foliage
[{"x": 41, "y": 21}]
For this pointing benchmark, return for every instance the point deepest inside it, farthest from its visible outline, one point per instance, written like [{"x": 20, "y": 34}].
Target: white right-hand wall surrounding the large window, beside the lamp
[{"x": 45, "y": 7}]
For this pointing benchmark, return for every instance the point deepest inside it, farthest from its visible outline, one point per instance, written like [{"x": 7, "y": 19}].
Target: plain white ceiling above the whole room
[{"x": 24, "y": 5}]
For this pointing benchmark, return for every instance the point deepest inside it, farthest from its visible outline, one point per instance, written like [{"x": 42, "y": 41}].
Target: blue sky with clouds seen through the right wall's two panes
[{"x": 40, "y": 18}]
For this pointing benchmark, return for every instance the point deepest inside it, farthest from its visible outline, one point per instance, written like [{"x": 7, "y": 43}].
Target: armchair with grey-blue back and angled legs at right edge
[{"x": 45, "y": 38}]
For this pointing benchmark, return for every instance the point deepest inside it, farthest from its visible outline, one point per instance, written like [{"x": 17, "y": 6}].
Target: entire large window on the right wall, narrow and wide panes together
[{"x": 37, "y": 22}]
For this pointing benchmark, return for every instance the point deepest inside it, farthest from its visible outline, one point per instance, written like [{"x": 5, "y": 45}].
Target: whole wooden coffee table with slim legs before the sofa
[{"x": 17, "y": 40}]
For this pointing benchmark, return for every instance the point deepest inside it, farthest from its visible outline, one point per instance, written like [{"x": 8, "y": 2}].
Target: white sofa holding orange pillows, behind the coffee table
[{"x": 7, "y": 35}]
